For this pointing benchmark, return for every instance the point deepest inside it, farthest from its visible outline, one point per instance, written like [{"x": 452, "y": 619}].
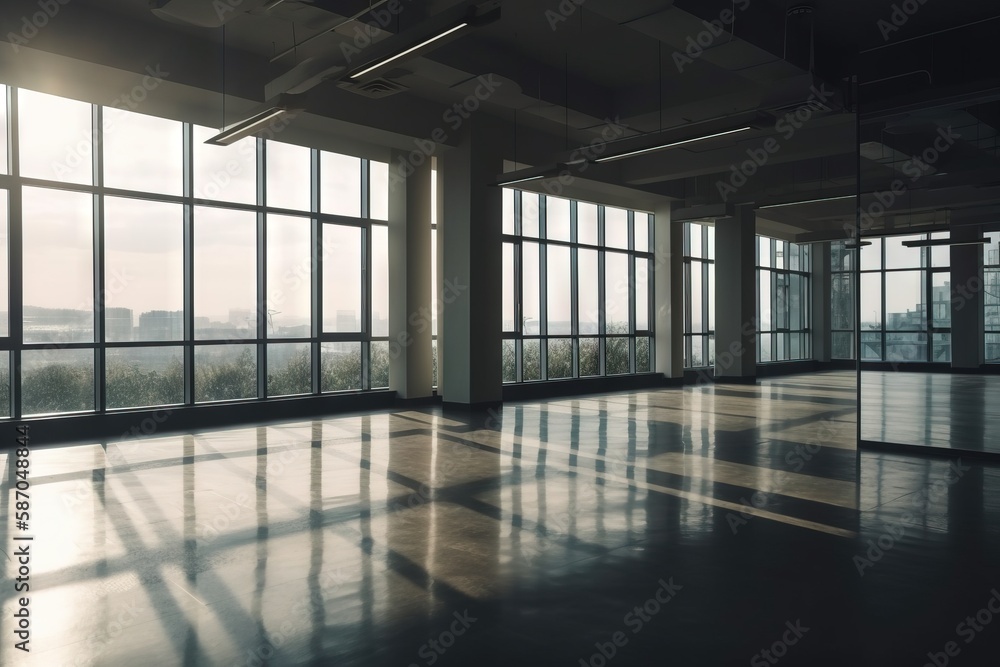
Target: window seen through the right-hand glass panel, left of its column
[{"x": 905, "y": 301}]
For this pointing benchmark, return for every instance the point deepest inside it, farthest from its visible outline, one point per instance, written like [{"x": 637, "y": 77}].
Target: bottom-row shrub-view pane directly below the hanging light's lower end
[{"x": 225, "y": 372}]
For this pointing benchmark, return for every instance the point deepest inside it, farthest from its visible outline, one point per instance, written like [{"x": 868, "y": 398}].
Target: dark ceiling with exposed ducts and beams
[{"x": 567, "y": 68}]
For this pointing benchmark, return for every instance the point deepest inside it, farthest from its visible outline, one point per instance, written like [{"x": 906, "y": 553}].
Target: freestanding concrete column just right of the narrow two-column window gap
[{"x": 736, "y": 297}]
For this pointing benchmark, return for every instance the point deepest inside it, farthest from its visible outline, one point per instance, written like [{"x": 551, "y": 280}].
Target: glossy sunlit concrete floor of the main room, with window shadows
[{"x": 714, "y": 525}]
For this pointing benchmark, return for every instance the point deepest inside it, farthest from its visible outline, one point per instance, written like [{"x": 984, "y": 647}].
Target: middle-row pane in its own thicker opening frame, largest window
[{"x": 341, "y": 278}]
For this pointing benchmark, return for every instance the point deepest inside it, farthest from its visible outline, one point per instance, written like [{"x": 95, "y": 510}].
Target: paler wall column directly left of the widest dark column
[{"x": 410, "y": 281}]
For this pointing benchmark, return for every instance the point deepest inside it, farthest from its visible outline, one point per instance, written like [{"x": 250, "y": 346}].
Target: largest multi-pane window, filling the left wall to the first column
[{"x": 140, "y": 288}]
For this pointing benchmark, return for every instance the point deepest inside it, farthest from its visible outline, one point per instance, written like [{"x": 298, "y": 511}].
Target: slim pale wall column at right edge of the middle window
[{"x": 668, "y": 292}]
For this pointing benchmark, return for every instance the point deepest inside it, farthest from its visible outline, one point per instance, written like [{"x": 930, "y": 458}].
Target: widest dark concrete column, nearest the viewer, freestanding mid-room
[{"x": 470, "y": 323}]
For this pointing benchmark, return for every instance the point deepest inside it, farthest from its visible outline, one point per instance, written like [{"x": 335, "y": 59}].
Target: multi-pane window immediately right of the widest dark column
[{"x": 576, "y": 289}]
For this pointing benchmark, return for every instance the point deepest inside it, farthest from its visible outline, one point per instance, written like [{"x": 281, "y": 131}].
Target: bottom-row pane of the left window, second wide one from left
[{"x": 144, "y": 376}]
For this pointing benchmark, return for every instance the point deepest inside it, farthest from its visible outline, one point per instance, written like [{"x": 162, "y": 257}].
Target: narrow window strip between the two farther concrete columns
[{"x": 699, "y": 295}]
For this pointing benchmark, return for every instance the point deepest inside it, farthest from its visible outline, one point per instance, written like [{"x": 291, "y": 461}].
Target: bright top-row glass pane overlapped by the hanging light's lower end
[{"x": 224, "y": 173}]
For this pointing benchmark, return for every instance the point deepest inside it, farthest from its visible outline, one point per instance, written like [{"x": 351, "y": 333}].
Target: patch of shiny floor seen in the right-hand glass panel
[{"x": 960, "y": 412}]
